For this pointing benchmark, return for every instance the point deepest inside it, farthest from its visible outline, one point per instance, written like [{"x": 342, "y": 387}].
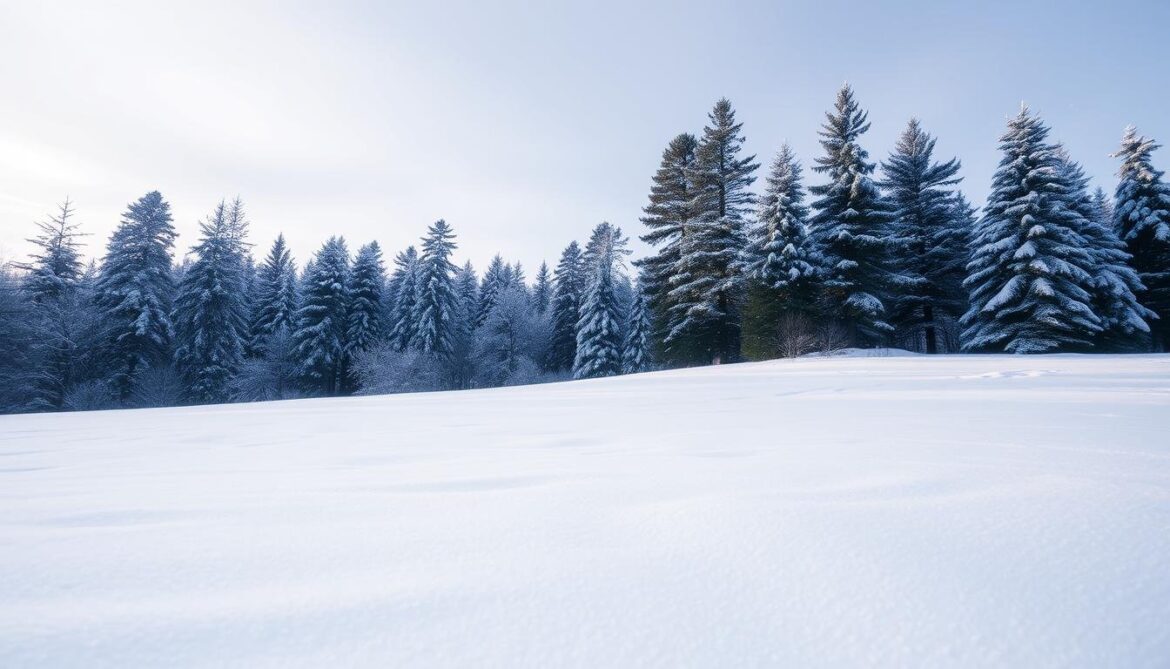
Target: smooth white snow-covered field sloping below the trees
[{"x": 981, "y": 512}]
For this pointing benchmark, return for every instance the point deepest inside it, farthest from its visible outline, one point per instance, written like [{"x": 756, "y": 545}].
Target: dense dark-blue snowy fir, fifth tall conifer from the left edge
[{"x": 321, "y": 322}]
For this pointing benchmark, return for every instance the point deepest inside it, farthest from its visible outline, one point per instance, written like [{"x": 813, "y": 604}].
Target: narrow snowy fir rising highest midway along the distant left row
[{"x": 438, "y": 306}]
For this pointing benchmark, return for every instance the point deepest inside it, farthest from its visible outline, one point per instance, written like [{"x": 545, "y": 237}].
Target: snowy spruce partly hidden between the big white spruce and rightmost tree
[{"x": 1124, "y": 320}]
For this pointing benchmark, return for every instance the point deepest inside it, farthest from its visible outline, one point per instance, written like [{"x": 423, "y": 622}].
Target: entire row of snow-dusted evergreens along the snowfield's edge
[{"x": 876, "y": 259}]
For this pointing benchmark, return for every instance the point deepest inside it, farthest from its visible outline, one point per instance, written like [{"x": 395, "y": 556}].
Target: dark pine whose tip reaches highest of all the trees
[{"x": 851, "y": 227}]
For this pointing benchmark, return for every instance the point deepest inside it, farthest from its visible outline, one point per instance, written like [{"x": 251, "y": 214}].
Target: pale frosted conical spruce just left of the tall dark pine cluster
[{"x": 601, "y": 328}]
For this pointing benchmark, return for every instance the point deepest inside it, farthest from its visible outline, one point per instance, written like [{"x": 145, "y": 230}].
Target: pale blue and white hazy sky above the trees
[{"x": 524, "y": 125}]
